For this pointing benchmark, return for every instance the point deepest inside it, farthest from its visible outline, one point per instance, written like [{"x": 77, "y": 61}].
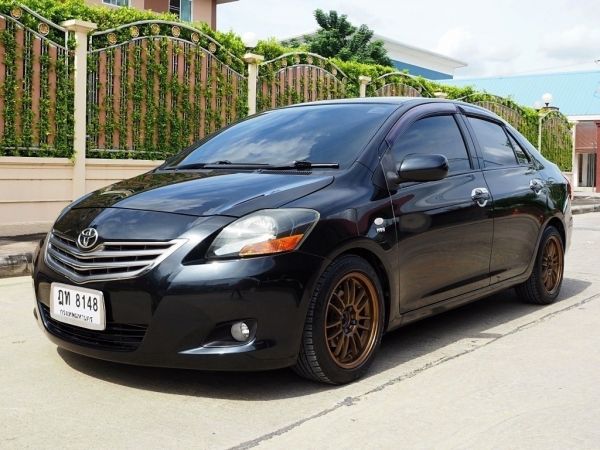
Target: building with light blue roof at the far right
[{"x": 576, "y": 94}]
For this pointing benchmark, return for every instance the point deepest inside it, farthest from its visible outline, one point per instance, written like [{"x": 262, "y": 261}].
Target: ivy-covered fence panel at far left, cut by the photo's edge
[{"x": 36, "y": 89}]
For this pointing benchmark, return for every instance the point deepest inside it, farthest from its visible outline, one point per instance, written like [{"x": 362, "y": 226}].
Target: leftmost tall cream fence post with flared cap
[{"x": 80, "y": 30}]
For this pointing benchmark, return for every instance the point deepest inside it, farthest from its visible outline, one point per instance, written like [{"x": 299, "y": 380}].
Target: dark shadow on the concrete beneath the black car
[{"x": 413, "y": 341}]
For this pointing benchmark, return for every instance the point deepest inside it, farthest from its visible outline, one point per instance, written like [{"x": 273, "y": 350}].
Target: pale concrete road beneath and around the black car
[{"x": 494, "y": 374}]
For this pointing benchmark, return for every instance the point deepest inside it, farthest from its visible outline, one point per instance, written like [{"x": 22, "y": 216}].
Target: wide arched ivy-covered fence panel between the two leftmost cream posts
[{"x": 155, "y": 87}]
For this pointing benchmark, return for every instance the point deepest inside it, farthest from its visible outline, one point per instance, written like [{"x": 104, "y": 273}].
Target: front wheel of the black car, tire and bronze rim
[{"x": 344, "y": 323}]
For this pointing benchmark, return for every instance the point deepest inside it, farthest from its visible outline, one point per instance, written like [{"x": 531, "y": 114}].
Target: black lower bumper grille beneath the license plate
[{"x": 116, "y": 337}]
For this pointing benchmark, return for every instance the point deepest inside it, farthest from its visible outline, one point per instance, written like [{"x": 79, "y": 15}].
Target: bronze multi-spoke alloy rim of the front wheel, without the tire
[{"x": 352, "y": 320}]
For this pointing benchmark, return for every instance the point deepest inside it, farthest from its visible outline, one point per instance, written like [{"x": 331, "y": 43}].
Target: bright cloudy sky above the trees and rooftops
[{"x": 504, "y": 37}]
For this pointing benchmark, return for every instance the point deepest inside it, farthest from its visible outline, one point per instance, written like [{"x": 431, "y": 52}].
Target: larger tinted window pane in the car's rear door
[{"x": 494, "y": 143}]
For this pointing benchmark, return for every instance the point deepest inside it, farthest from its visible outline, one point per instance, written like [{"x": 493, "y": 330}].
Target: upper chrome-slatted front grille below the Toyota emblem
[{"x": 110, "y": 260}]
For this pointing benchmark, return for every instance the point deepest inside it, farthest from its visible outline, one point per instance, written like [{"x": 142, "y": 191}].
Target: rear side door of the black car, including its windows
[{"x": 519, "y": 195}]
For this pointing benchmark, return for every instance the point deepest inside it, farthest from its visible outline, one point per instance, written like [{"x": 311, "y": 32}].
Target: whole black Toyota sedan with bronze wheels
[{"x": 298, "y": 237}]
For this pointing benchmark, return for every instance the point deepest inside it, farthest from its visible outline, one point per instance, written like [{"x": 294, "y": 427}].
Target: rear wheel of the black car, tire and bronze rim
[{"x": 543, "y": 286}]
